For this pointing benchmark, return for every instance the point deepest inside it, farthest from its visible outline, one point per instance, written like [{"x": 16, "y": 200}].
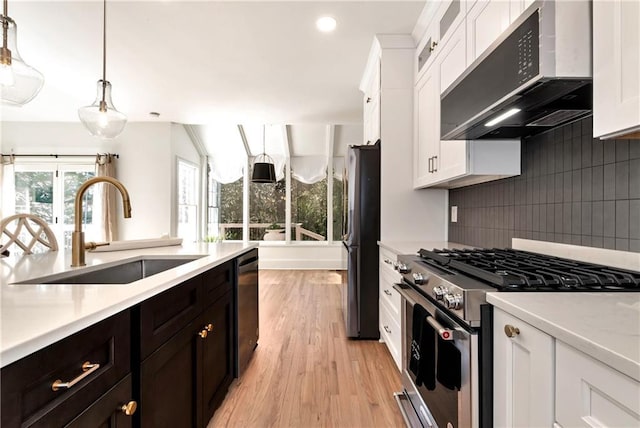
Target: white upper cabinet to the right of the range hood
[{"x": 616, "y": 68}]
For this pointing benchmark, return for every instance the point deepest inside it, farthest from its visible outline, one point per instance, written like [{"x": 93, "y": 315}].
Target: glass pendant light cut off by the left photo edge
[{"x": 19, "y": 82}]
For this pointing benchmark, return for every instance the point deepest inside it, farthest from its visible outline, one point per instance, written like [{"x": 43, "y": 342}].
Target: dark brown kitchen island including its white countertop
[{"x": 79, "y": 353}]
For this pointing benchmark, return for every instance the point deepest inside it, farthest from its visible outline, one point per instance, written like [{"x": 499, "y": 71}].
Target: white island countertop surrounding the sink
[{"x": 35, "y": 316}]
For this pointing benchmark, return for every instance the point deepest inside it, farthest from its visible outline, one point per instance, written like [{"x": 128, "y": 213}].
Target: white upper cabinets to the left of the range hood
[{"x": 452, "y": 163}]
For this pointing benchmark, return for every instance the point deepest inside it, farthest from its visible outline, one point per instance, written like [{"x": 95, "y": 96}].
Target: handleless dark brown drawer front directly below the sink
[{"x": 166, "y": 314}]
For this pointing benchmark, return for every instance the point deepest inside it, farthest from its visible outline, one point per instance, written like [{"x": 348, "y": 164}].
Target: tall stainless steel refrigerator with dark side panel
[{"x": 360, "y": 289}]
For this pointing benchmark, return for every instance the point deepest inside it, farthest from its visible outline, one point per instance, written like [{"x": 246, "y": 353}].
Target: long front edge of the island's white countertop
[{"x": 22, "y": 349}]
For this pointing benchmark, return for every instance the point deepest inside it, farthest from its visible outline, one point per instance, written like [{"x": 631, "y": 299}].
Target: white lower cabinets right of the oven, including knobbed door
[{"x": 540, "y": 381}]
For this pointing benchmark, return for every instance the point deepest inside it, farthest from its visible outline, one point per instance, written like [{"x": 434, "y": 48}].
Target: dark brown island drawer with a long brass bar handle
[{"x": 28, "y": 399}]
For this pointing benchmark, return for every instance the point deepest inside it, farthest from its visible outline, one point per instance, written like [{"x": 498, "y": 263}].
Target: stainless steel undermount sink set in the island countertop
[{"x": 124, "y": 272}]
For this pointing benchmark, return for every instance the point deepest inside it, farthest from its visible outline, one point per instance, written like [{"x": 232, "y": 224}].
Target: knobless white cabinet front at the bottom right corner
[{"x": 592, "y": 394}]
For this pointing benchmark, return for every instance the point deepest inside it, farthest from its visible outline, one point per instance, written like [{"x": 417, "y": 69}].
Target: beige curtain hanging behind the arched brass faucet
[{"x": 106, "y": 166}]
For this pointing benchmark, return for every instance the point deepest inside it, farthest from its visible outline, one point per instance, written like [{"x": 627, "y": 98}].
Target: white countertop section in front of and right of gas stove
[{"x": 605, "y": 326}]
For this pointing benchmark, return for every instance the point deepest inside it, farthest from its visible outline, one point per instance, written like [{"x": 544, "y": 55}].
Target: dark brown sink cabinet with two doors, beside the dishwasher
[{"x": 186, "y": 378}]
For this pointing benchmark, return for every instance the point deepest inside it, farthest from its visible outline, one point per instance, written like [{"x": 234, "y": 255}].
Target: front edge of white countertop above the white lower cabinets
[{"x": 595, "y": 350}]
